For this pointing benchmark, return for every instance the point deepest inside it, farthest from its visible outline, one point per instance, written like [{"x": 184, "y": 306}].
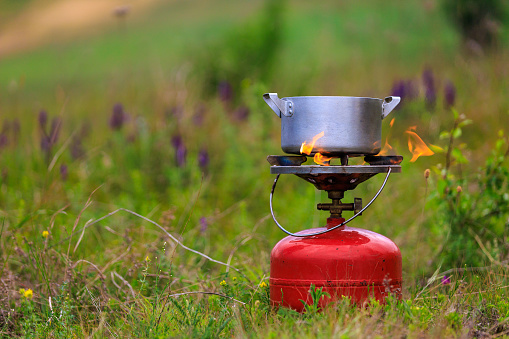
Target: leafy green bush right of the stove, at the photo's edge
[{"x": 472, "y": 210}]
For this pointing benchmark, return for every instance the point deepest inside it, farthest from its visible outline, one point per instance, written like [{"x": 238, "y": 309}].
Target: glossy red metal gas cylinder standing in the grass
[{"x": 347, "y": 261}]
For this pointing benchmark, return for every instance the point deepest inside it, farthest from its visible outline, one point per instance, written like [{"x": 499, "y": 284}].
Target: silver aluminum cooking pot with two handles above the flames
[{"x": 351, "y": 125}]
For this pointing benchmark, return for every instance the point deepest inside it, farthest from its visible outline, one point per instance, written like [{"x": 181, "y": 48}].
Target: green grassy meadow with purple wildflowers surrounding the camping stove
[{"x": 134, "y": 190}]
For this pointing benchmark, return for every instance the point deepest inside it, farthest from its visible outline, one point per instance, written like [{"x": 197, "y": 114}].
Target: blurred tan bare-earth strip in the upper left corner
[{"x": 48, "y": 21}]
